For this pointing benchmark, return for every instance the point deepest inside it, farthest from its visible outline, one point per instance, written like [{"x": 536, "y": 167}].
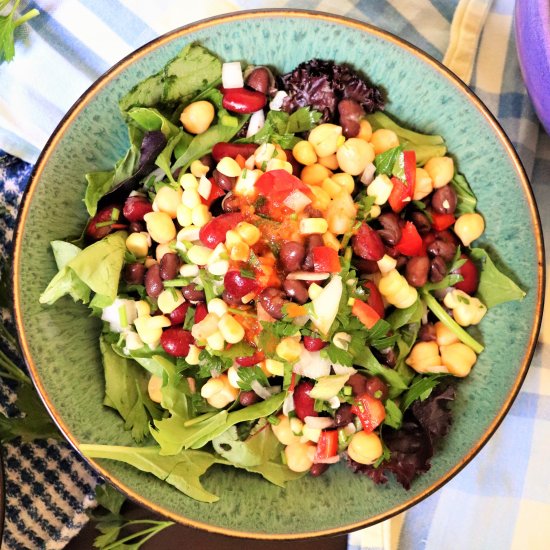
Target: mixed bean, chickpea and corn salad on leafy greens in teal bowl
[{"x": 284, "y": 276}]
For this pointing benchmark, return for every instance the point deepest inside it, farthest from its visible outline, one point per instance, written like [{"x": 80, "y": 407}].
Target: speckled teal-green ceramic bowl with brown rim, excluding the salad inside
[{"x": 60, "y": 342}]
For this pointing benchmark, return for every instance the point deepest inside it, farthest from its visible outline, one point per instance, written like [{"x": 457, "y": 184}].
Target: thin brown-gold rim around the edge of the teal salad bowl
[{"x": 345, "y": 21}]
